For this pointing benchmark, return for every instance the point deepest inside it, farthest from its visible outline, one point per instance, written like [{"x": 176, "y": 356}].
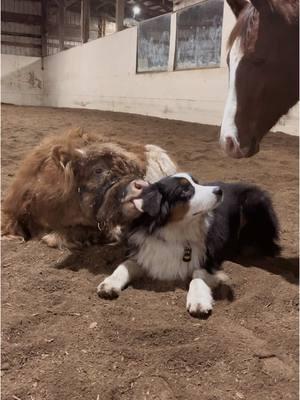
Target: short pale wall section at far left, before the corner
[{"x": 21, "y": 80}]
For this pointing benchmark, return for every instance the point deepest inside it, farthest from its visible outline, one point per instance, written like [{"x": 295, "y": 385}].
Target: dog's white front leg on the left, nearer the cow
[{"x": 112, "y": 286}]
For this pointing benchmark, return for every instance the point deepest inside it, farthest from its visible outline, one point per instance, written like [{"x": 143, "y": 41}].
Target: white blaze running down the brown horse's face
[{"x": 228, "y": 127}]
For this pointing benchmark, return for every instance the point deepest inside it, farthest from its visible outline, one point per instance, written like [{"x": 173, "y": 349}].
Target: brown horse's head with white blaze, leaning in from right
[{"x": 263, "y": 61}]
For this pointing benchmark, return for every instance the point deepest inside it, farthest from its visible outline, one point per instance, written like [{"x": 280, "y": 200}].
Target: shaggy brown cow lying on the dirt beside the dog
[{"x": 76, "y": 189}]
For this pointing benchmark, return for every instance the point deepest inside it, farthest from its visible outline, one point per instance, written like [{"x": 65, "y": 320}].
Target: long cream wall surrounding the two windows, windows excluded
[{"x": 101, "y": 75}]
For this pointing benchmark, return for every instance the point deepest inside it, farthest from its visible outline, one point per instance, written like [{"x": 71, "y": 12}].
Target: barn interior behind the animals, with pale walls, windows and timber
[{"x": 153, "y": 57}]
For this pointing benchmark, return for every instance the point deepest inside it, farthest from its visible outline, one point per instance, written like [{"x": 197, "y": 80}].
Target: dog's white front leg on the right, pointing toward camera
[{"x": 199, "y": 298}]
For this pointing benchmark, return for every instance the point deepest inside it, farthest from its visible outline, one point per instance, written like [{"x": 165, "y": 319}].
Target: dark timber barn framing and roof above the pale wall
[{"x": 43, "y": 27}]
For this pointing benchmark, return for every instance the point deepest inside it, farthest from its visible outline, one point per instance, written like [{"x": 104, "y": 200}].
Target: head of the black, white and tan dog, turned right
[{"x": 175, "y": 198}]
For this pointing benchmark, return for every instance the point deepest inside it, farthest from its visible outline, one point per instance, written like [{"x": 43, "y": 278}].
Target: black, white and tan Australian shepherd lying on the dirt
[{"x": 184, "y": 231}]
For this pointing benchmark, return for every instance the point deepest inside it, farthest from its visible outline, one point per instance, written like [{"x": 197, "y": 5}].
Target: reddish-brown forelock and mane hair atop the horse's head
[{"x": 246, "y": 27}]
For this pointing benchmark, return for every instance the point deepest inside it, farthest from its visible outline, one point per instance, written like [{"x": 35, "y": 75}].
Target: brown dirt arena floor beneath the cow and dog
[{"x": 61, "y": 342}]
